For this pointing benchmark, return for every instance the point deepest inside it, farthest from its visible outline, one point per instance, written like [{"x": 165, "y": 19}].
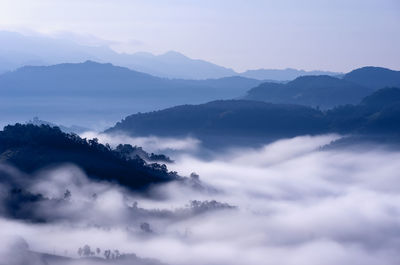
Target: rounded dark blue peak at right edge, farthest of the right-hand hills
[{"x": 374, "y": 77}]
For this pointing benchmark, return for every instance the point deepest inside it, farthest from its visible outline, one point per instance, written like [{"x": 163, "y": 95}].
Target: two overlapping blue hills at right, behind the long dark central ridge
[{"x": 327, "y": 91}]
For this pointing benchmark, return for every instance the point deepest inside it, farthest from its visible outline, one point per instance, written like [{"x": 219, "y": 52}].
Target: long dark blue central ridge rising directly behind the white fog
[{"x": 225, "y": 122}]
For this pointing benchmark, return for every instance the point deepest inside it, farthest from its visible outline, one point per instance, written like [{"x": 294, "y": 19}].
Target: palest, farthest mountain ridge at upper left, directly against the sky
[{"x": 19, "y": 50}]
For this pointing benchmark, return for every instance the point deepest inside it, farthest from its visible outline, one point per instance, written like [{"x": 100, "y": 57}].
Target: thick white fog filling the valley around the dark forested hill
[{"x": 293, "y": 203}]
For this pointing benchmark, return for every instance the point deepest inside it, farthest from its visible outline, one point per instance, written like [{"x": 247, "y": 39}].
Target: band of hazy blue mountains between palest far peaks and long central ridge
[{"x": 95, "y": 95}]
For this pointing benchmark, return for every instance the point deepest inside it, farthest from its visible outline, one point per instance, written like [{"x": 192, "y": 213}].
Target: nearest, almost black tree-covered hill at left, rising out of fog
[{"x": 31, "y": 148}]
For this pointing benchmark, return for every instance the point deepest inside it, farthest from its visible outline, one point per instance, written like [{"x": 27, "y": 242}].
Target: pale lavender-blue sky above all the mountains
[{"x": 336, "y": 35}]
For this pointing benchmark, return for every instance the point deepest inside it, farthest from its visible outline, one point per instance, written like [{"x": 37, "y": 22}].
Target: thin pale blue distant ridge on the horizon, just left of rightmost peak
[{"x": 283, "y": 74}]
